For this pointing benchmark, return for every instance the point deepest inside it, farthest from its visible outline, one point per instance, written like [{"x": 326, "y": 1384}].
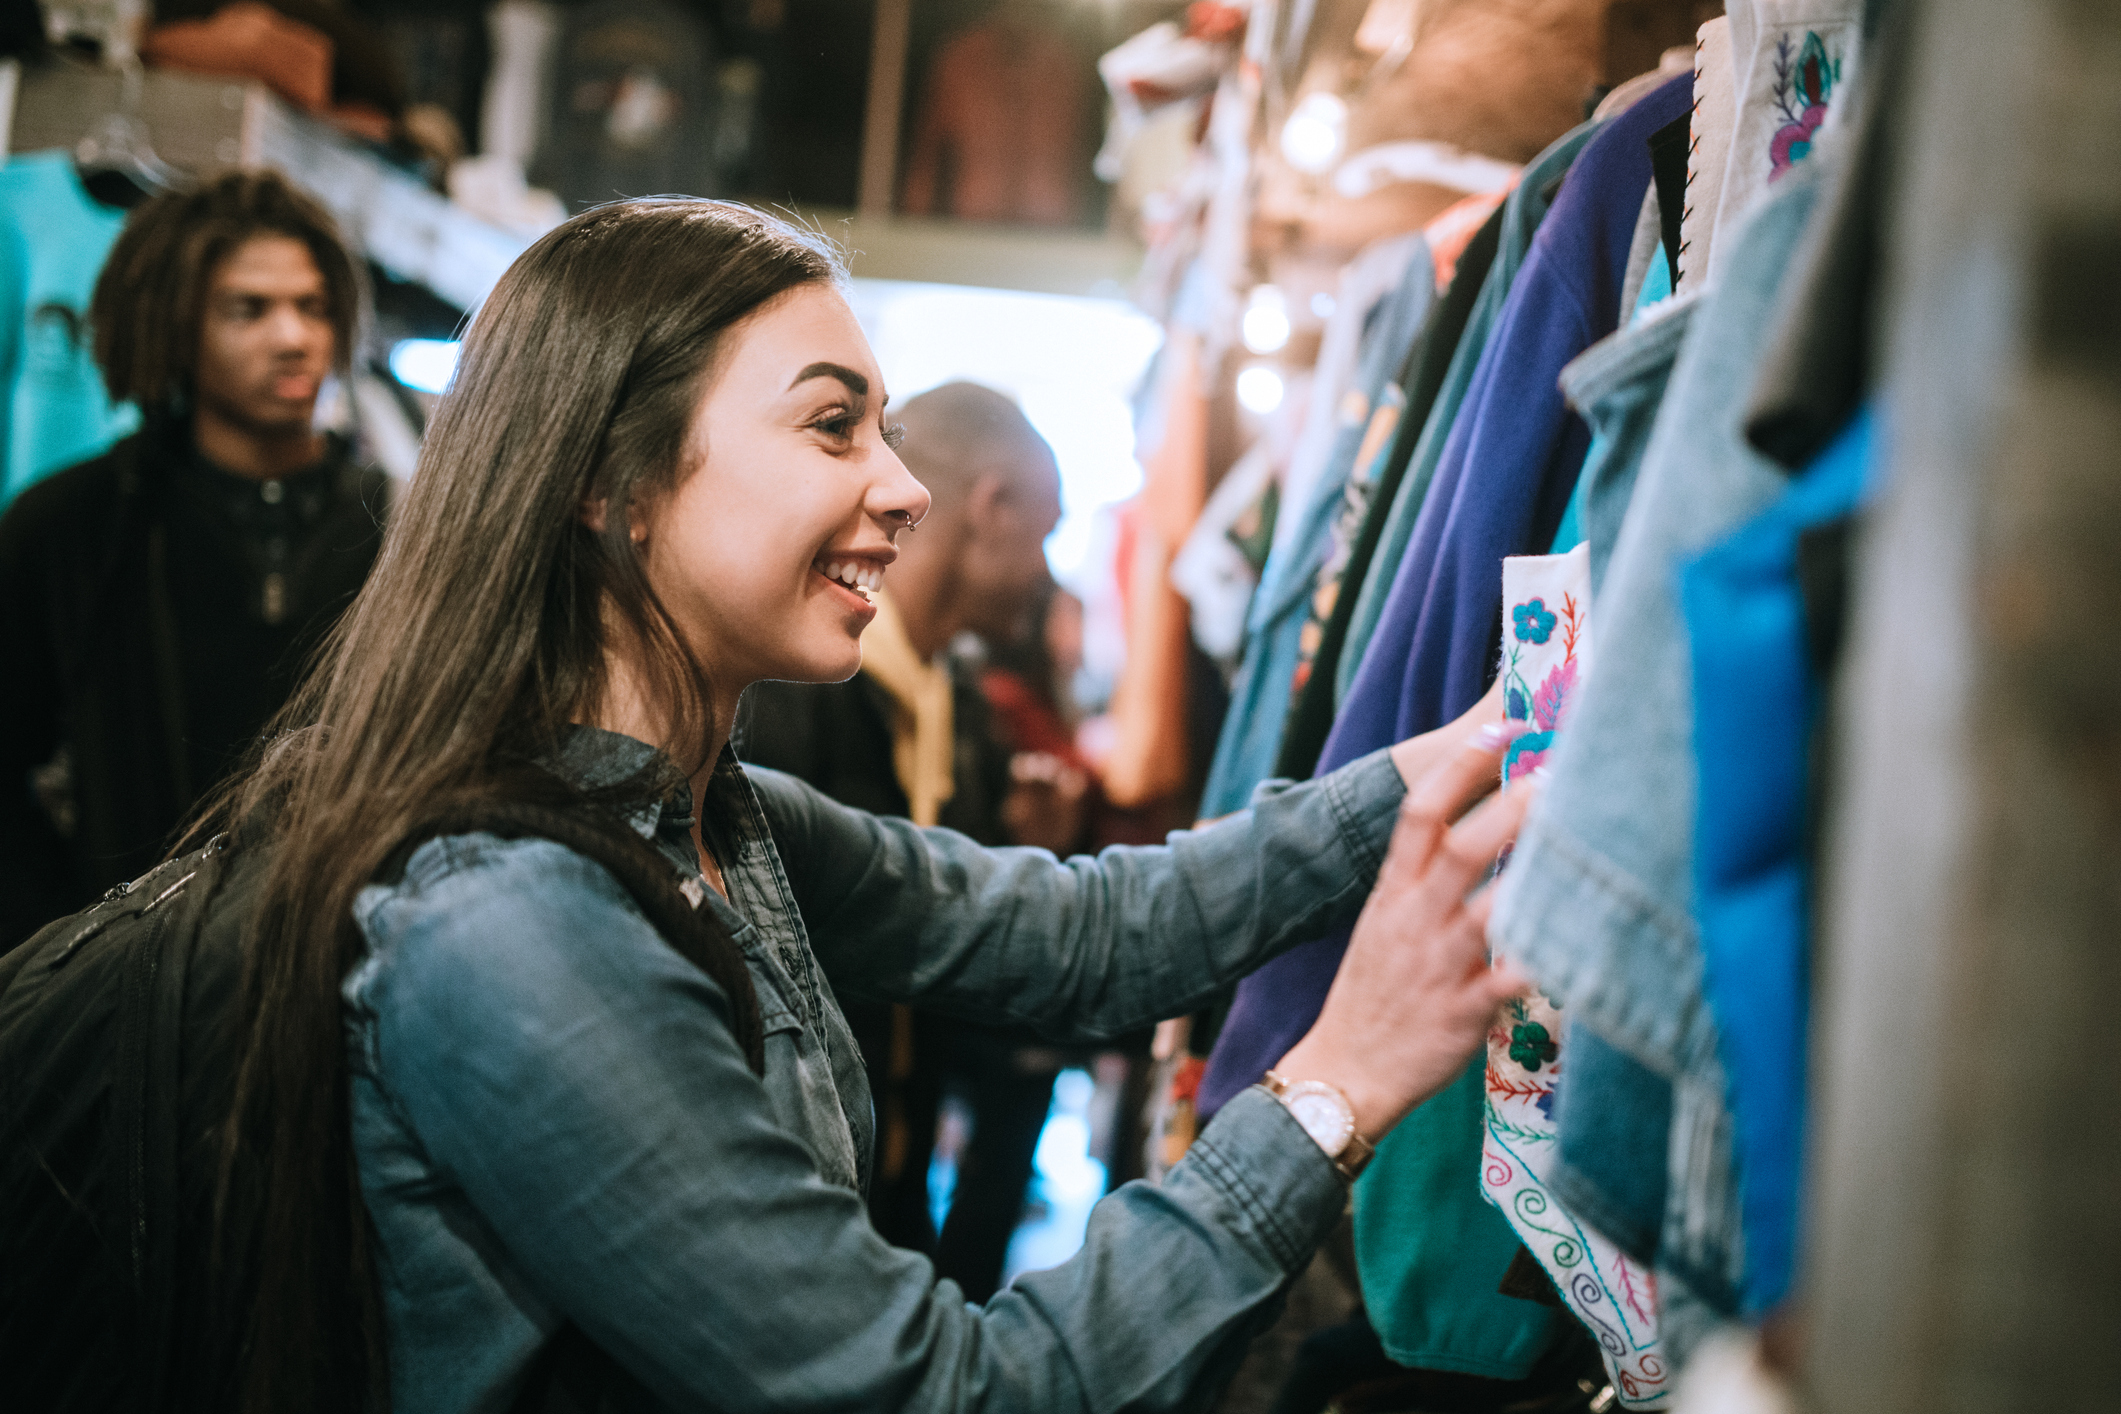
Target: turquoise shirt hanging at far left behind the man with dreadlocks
[{"x": 54, "y": 238}]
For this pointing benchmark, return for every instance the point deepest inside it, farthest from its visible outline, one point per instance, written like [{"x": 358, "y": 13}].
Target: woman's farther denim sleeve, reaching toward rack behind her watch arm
[{"x": 1091, "y": 947}]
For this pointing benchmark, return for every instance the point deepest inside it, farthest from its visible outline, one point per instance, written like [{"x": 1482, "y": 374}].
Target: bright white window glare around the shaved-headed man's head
[{"x": 1070, "y": 361}]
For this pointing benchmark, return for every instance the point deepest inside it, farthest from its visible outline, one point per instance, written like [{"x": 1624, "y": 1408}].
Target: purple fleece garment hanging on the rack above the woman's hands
[{"x": 1501, "y": 491}]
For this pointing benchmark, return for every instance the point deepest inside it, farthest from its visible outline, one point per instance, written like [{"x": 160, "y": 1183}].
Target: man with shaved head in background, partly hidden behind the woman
[{"x": 913, "y": 737}]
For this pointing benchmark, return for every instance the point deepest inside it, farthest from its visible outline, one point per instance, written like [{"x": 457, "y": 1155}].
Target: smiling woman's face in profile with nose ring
[{"x": 771, "y": 550}]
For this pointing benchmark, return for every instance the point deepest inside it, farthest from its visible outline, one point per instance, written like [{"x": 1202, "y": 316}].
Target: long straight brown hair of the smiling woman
[{"x": 476, "y": 641}]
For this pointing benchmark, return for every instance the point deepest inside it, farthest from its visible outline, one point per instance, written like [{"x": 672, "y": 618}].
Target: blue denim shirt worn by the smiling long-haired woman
[{"x": 555, "y": 1123}]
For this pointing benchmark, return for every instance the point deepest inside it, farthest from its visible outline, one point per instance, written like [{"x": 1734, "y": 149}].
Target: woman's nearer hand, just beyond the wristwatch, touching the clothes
[{"x": 1416, "y": 991}]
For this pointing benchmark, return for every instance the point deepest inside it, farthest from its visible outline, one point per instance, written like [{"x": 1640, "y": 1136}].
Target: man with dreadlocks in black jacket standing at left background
[{"x": 162, "y": 599}]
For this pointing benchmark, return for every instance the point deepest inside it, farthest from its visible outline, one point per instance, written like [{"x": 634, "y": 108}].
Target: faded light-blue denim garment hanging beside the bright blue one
[{"x": 1600, "y": 900}]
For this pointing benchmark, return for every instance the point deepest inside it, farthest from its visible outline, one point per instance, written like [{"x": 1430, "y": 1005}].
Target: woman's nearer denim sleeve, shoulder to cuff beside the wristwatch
[{"x": 578, "y": 1082}]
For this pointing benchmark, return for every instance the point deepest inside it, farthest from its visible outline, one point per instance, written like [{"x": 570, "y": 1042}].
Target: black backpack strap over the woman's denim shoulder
[{"x": 697, "y": 934}]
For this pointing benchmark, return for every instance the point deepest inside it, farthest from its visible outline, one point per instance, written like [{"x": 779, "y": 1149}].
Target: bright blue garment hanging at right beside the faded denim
[{"x": 1757, "y": 703}]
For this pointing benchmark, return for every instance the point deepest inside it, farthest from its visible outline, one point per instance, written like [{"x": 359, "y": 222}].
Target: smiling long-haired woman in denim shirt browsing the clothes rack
[{"x": 485, "y": 1103}]
